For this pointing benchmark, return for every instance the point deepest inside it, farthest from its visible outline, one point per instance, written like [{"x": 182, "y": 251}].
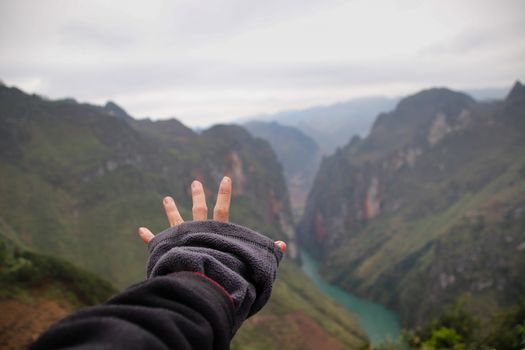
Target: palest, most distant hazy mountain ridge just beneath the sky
[{"x": 332, "y": 126}]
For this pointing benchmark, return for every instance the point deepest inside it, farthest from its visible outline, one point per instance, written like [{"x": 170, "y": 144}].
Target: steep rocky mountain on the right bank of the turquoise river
[{"x": 426, "y": 205}]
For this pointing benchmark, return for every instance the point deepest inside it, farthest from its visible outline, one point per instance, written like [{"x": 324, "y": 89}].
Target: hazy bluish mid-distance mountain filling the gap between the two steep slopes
[{"x": 298, "y": 154}]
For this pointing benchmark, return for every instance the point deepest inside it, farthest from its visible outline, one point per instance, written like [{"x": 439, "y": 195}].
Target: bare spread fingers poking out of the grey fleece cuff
[{"x": 221, "y": 212}]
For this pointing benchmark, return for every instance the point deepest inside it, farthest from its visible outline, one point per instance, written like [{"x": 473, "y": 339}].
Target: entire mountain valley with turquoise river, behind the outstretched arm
[{"x": 403, "y": 226}]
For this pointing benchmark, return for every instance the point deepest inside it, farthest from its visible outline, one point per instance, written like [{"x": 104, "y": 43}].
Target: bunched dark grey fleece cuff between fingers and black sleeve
[{"x": 243, "y": 262}]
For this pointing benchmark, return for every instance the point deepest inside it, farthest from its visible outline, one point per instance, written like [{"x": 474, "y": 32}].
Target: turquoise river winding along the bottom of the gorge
[{"x": 379, "y": 323}]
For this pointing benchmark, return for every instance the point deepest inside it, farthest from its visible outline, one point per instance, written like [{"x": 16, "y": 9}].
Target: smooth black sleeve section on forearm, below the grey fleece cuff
[{"x": 182, "y": 311}]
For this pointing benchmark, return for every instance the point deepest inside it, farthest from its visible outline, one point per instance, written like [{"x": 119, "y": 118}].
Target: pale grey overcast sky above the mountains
[{"x": 212, "y": 61}]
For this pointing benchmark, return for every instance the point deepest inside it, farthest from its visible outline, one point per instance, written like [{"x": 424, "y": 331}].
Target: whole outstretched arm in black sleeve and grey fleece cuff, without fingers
[{"x": 204, "y": 279}]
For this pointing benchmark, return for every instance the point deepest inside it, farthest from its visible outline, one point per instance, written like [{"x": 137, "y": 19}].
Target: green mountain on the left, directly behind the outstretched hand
[{"x": 77, "y": 180}]
